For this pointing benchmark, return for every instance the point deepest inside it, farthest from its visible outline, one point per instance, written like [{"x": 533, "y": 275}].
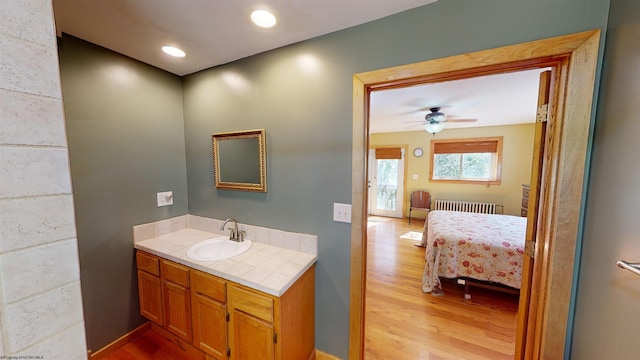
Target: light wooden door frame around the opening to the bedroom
[{"x": 574, "y": 58}]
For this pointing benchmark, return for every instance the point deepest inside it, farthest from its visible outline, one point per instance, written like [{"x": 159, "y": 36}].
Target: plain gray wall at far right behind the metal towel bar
[{"x": 608, "y": 298}]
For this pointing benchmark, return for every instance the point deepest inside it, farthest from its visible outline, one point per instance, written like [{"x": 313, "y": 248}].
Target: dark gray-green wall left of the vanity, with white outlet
[{"x": 126, "y": 142}]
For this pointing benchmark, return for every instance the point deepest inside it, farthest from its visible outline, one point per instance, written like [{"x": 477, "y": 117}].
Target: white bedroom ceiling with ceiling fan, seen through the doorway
[{"x": 501, "y": 99}]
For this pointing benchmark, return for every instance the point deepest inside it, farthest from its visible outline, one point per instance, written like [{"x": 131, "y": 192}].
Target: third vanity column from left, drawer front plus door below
[{"x": 208, "y": 299}]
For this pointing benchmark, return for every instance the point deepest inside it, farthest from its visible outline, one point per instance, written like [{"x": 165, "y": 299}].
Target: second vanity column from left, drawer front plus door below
[{"x": 177, "y": 299}]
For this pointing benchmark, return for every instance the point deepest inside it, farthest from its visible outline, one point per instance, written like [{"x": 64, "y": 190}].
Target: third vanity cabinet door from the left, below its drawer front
[{"x": 210, "y": 326}]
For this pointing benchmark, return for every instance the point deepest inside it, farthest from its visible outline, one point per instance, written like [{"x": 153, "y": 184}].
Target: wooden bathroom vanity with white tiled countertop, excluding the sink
[{"x": 258, "y": 305}]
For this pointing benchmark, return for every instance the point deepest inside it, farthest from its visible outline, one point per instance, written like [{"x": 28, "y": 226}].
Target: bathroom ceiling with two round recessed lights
[{"x": 211, "y": 32}]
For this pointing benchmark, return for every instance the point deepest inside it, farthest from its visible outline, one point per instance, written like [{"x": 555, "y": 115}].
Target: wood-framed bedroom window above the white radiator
[{"x": 472, "y": 161}]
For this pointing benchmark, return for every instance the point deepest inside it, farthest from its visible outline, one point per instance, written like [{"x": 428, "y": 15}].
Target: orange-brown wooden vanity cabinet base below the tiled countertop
[{"x": 225, "y": 320}]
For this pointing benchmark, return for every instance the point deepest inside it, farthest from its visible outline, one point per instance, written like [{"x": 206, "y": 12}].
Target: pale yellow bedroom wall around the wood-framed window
[{"x": 517, "y": 153}]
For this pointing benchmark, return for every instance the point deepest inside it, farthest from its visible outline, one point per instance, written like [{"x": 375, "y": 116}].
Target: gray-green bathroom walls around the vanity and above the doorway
[{"x": 127, "y": 140}]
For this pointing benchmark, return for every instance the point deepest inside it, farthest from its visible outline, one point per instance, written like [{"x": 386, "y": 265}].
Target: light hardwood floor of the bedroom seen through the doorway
[{"x": 401, "y": 322}]
